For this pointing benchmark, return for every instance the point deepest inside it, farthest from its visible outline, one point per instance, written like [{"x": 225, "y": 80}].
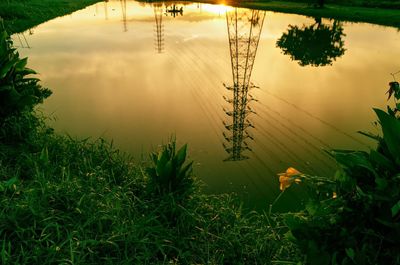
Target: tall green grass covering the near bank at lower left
[{"x": 83, "y": 202}]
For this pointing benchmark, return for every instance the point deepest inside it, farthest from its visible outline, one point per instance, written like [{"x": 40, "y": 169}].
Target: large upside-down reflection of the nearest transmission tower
[{"x": 244, "y": 29}]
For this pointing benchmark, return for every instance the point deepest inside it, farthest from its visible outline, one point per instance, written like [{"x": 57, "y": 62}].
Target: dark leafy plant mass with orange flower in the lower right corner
[{"x": 354, "y": 218}]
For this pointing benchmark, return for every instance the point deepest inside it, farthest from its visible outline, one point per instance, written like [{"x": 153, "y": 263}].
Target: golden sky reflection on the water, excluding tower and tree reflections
[{"x": 111, "y": 83}]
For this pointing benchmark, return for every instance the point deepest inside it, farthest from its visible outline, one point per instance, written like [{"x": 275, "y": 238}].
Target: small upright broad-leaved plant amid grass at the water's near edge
[{"x": 169, "y": 173}]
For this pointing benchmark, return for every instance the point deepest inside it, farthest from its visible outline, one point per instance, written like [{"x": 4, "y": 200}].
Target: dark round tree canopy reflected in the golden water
[{"x": 315, "y": 45}]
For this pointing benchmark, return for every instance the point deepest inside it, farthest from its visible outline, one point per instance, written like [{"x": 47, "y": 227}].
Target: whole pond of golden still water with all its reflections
[{"x": 251, "y": 92}]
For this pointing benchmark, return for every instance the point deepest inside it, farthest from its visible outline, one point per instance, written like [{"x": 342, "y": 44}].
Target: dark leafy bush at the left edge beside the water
[{"x": 19, "y": 91}]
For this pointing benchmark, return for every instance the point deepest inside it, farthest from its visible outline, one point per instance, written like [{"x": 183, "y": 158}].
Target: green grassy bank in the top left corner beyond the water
[{"x": 20, "y": 15}]
